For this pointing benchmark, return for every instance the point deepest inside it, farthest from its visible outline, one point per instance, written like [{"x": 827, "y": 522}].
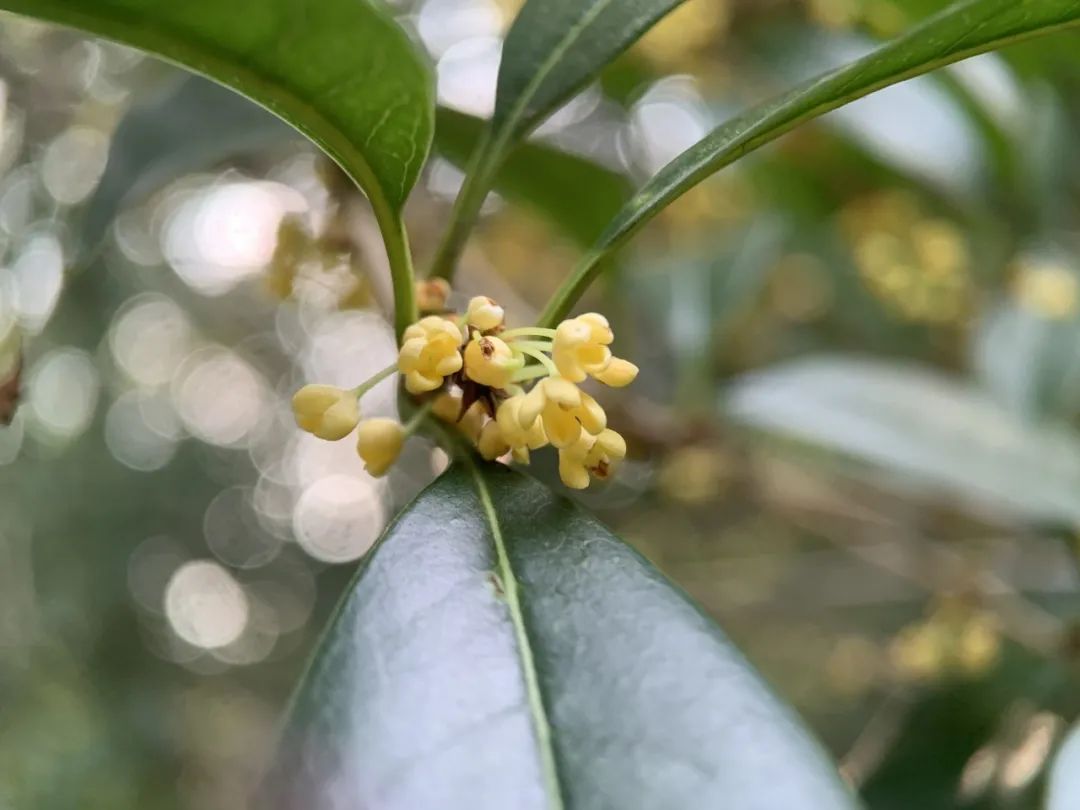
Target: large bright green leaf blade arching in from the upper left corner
[{"x": 341, "y": 72}]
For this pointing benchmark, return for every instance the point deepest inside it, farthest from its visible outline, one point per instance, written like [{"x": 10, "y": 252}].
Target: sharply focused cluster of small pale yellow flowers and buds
[{"x": 474, "y": 373}]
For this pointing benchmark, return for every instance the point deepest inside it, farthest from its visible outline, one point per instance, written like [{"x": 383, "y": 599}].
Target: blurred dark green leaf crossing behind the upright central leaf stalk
[{"x": 575, "y": 194}]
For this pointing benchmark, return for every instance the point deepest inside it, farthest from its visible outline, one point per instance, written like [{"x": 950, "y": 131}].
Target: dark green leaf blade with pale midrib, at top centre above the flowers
[{"x": 556, "y": 47}]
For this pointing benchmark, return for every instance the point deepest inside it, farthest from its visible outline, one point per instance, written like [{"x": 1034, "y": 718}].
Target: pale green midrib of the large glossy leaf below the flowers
[{"x": 535, "y": 696}]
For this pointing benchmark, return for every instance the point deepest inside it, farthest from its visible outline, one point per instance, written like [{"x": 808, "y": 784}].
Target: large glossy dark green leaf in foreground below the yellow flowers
[{"x": 502, "y": 649}]
